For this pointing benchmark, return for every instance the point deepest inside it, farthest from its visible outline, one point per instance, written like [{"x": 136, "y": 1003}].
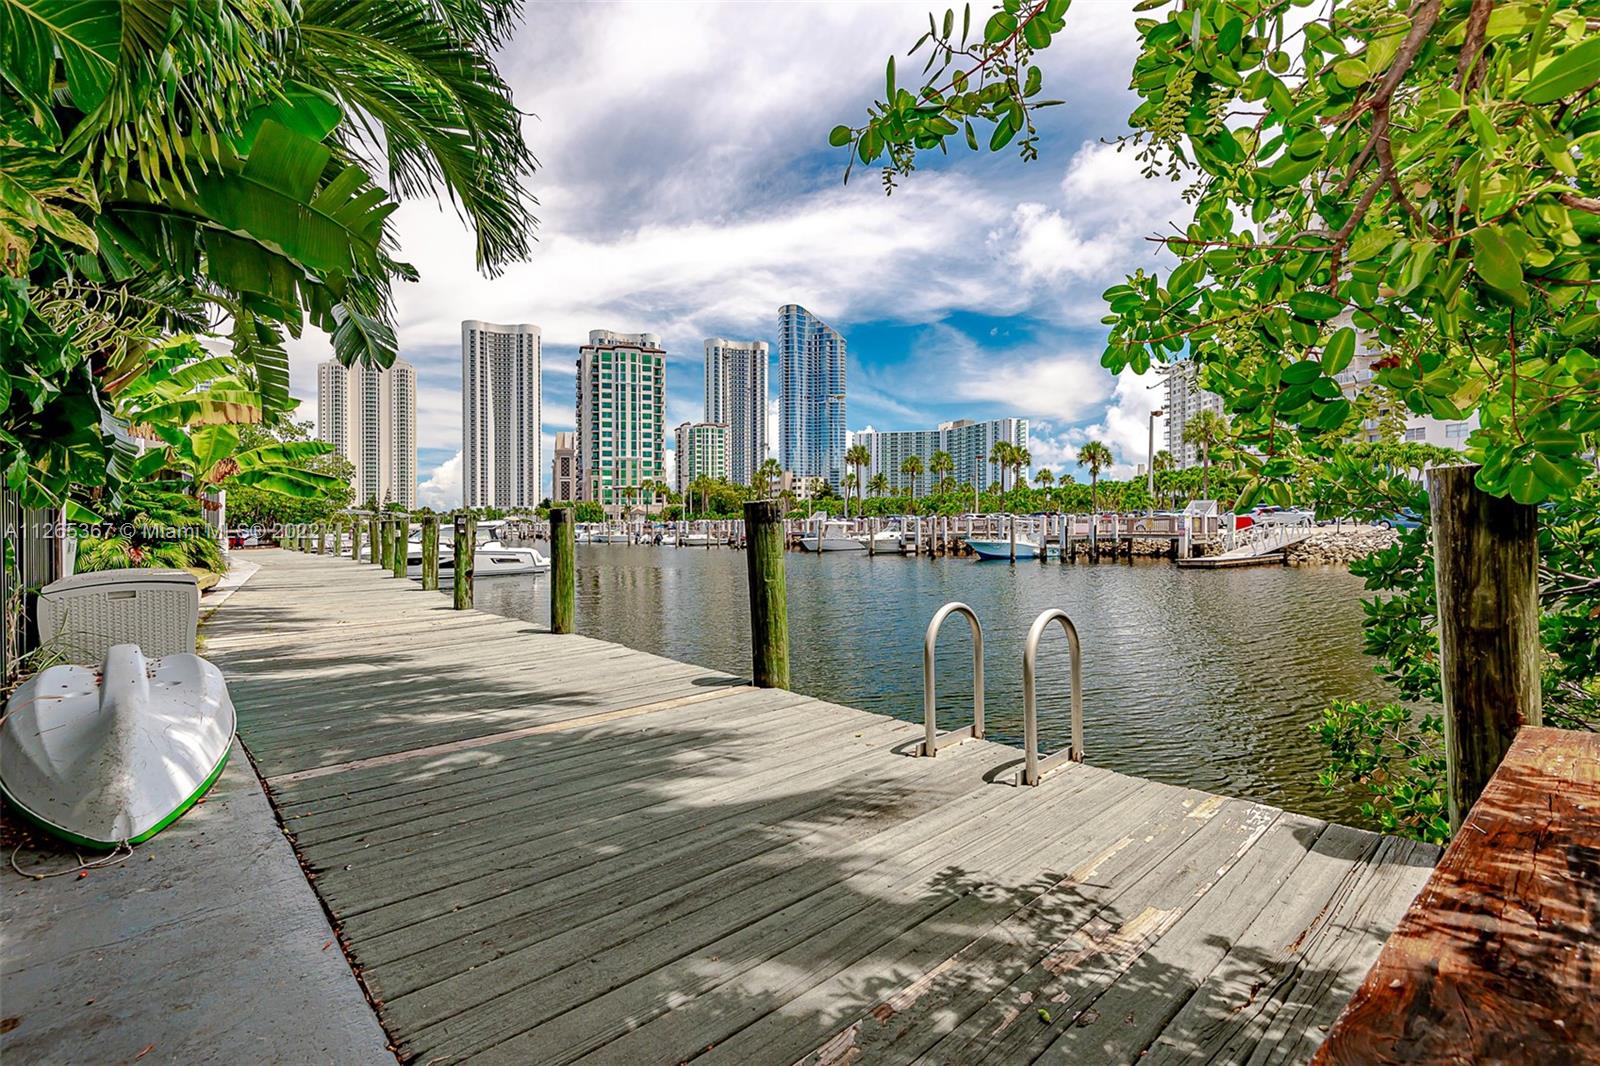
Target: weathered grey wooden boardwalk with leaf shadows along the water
[{"x": 551, "y": 849}]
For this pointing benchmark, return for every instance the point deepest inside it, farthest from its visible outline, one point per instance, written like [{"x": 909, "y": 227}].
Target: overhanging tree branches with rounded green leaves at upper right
[{"x": 1414, "y": 180}]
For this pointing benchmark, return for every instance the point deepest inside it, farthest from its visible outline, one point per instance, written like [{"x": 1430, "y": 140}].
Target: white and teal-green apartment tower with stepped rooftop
[{"x": 622, "y": 417}]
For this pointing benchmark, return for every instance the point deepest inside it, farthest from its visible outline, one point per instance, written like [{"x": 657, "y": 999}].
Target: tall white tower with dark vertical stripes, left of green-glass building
[{"x": 500, "y": 415}]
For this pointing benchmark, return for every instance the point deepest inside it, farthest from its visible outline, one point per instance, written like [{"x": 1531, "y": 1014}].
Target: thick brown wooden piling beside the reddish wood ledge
[{"x": 1487, "y": 579}]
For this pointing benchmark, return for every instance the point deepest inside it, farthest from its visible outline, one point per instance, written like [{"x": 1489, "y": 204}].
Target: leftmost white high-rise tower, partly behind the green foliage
[{"x": 369, "y": 415}]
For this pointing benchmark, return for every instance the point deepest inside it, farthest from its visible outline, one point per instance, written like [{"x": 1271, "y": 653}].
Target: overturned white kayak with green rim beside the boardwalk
[{"x": 114, "y": 756}]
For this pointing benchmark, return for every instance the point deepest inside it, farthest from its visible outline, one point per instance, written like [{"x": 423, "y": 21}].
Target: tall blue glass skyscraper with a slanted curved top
[{"x": 812, "y": 406}]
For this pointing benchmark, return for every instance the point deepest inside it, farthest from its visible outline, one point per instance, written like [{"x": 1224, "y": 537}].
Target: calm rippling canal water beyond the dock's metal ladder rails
[{"x": 1196, "y": 678}]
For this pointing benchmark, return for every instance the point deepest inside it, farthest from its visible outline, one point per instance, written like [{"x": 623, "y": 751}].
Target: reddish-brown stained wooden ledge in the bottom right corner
[{"x": 1498, "y": 958}]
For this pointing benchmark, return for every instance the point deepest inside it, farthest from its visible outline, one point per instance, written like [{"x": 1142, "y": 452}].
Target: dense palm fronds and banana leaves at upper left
[{"x": 170, "y": 169}]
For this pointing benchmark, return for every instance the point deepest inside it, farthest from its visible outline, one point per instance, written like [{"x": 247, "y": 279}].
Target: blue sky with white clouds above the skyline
[{"x": 687, "y": 190}]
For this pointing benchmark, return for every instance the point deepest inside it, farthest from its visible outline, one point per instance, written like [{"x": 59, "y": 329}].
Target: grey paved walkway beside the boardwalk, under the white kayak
[{"x": 206, "y": 947}]
